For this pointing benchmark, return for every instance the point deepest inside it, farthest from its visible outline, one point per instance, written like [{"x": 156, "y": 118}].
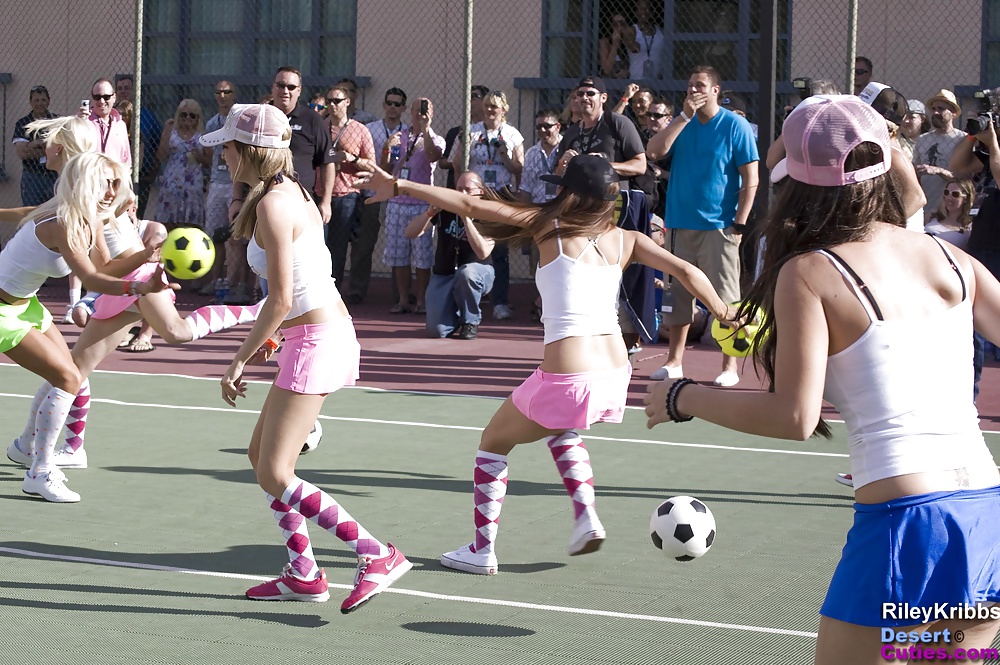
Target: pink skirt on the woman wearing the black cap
[{"x": 574, "y": 401}]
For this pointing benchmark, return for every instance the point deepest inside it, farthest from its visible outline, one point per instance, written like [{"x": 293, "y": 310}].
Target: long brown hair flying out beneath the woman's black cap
[{"x": 578, "y": 215}]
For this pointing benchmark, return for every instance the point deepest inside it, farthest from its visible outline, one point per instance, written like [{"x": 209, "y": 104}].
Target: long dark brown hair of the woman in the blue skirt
[{"x": 806, "y": 218}]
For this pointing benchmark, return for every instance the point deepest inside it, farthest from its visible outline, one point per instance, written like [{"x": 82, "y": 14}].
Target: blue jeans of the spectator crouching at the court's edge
[{"x": 454, "y": 299}]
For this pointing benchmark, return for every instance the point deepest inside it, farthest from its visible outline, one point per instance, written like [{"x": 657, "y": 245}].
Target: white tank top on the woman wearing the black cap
[{"x": 580, "y": 299}]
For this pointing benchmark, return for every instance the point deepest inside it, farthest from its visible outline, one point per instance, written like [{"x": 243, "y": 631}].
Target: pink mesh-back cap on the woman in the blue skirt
[{"x": 823, "y": 130}]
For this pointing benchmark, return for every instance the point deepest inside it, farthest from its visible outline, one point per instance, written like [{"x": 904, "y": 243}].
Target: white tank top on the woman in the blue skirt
[{"x": 905, "y": 415}]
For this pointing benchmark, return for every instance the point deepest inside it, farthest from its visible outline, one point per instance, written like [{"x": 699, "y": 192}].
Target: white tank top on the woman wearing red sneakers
[{"x": 312, "y": 284}]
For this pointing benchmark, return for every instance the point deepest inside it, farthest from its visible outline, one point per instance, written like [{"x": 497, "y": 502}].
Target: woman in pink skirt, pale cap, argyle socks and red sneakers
[{"x": 320, "y": 356}]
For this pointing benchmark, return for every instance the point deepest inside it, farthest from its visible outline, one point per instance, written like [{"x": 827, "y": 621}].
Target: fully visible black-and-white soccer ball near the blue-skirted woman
[{"x": 683, "y": 528}]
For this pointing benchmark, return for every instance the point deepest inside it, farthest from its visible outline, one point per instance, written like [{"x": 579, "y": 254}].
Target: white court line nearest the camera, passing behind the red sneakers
[{"x": 426, "y": 594}]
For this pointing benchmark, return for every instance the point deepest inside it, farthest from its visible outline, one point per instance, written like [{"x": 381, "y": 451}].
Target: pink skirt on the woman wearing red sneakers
[{"x": 320, "y": 358}]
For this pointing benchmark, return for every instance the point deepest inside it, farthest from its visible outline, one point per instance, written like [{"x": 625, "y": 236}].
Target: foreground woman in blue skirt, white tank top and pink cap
[{"x": 843, "y": 287}]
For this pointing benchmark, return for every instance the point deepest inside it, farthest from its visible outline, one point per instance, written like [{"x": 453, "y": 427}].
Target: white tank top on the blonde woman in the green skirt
[{"x": 25, "y": 263}]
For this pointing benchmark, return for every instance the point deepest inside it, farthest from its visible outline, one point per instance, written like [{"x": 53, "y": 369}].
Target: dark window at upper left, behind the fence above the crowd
[{"x": 189, "y": 44}]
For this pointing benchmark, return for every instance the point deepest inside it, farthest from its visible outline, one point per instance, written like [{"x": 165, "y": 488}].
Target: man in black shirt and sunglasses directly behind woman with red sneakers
[{"x": 310, "y": 145}]
